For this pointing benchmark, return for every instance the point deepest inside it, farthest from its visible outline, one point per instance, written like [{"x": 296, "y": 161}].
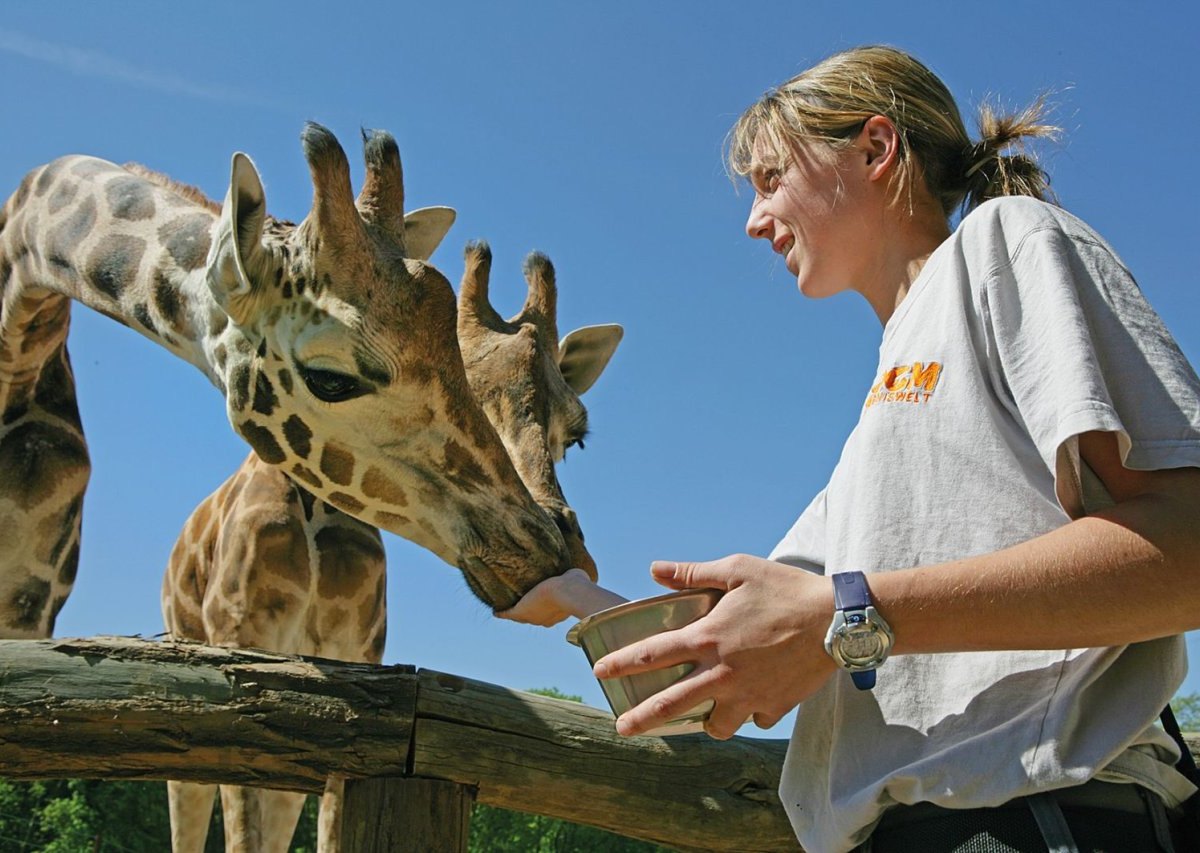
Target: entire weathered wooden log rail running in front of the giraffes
[{"x": 122, "y": 708}]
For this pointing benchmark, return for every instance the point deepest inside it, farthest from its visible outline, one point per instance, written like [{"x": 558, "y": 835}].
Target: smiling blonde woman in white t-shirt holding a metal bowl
[{"x": 1021, "y": 494}]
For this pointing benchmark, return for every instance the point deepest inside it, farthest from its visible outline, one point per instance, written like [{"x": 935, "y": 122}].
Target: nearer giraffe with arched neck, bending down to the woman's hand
[{"x": 335, "y": 352}]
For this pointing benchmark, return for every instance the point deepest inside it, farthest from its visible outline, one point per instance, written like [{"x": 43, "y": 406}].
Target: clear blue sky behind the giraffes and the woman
[{"x": 592, "y": 133}]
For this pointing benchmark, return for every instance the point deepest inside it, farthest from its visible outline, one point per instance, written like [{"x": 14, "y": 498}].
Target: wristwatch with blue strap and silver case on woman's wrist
[{"x": 860, "y": 640}]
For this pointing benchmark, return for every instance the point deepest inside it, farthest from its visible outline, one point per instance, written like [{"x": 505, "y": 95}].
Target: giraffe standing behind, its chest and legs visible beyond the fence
[{"x": 263, "y": 563}]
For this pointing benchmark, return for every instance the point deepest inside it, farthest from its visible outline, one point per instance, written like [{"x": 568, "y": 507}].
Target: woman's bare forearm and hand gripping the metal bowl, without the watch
[{"x": 1127, "y": 574}]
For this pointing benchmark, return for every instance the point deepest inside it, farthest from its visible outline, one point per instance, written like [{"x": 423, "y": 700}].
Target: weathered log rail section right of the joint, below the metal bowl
[{"x": 565, "y": 760}]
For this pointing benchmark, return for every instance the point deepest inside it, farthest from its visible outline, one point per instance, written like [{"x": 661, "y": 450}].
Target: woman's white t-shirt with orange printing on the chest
[{"x": 1023, "y": 332}]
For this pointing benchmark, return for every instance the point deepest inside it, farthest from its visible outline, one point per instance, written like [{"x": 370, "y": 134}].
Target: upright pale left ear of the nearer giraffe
[{"x": 237, "y": 256}]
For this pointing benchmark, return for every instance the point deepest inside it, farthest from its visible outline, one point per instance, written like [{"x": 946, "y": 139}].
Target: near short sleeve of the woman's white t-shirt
[{"x": 1077, "y": 350}]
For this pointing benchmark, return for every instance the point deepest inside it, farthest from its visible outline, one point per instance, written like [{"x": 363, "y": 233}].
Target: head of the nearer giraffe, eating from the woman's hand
[{"x": 338, "y": 349}]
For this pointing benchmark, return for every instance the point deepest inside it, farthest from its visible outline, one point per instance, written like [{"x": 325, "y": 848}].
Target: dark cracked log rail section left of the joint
[{"x": 119, "y": 708}]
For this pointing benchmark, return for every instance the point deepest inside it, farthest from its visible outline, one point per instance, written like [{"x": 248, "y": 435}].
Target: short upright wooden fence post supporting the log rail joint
[{"x": 399, "y": 814}]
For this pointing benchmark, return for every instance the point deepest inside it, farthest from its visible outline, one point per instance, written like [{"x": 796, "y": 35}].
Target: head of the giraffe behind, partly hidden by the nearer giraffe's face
[{"x": 530, "y": 382}]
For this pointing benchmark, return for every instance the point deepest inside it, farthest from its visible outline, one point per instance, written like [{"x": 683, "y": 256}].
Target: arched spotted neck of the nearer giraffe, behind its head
[{"x": 85, "y": 230}]
